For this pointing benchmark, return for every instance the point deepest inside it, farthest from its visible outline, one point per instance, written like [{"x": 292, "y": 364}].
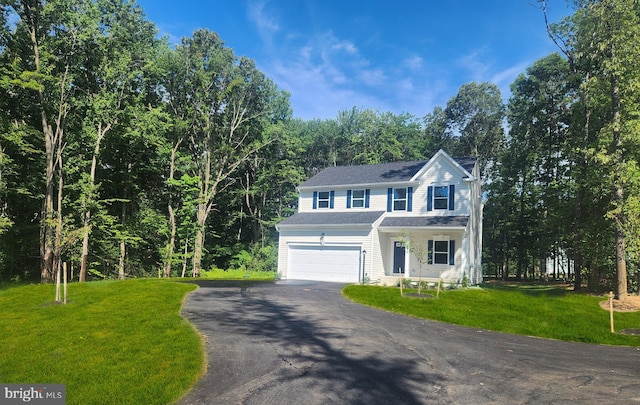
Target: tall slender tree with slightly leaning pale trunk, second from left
[{"x": 123, "y": 43}]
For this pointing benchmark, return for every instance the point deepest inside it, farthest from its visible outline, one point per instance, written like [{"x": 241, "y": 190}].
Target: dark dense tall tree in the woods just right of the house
[{"x": 537, "y": 158}]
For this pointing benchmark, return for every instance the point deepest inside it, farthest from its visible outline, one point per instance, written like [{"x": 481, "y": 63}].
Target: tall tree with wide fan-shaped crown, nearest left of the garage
[{"x": 227, "y": 101}]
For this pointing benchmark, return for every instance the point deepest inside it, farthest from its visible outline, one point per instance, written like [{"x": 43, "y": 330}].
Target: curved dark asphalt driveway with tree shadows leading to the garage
[{"x": 303, "y": 343}]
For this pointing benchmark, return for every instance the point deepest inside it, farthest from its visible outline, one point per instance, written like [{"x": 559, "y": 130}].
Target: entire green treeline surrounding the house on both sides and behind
[{"x": 126, "y": 157}]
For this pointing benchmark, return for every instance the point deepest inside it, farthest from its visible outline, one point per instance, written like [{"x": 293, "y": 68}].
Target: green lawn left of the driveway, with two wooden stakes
[{"x": 117, "y": 342}]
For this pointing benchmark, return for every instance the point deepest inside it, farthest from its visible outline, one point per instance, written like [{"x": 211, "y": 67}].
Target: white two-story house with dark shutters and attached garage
[{"x": 381, "y": 222}]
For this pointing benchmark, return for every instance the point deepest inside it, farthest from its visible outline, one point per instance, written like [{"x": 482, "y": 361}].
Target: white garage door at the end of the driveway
[{"x": 324, "y": 263}]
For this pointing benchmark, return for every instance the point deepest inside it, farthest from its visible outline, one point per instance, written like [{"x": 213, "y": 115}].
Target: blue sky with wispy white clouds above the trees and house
[{"x": 403, "y": 56}]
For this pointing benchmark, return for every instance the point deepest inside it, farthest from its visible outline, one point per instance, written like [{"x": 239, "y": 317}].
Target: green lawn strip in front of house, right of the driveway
[{"x": 540, "y": 311}]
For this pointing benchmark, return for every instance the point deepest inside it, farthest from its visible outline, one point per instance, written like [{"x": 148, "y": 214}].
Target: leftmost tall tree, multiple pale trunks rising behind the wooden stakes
[{"x": 49, "y": 59}]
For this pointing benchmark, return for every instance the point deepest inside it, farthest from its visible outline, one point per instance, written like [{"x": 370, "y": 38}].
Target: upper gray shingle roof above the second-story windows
[{"x": 372, "y": 174}]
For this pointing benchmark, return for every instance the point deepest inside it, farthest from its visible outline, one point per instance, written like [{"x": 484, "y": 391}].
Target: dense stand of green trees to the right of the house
[{"x": 568, "y": 181}]
